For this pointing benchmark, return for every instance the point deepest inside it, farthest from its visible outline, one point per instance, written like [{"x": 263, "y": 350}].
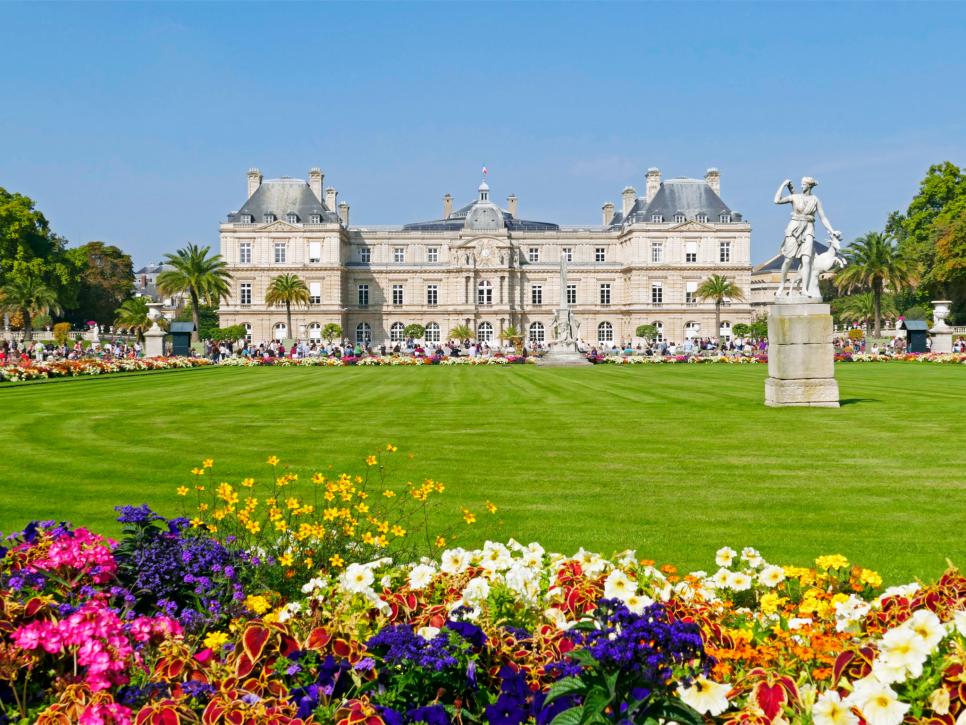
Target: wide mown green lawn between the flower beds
[{"x": 674, "y": 461}]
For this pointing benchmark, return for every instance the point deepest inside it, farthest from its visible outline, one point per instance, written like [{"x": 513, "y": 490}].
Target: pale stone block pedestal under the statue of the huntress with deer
[{"x": 800, "y": 355}]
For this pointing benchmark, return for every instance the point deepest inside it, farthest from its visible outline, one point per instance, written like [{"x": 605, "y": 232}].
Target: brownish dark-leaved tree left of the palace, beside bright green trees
[{"x": 106, "y": 279}]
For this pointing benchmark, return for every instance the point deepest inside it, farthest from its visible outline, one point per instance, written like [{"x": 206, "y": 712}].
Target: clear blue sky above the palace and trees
[{"x": 135, "y": 123}]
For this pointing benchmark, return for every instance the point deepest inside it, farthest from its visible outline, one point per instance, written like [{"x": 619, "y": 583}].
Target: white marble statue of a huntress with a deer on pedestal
[{"x": 799, "y": 242}]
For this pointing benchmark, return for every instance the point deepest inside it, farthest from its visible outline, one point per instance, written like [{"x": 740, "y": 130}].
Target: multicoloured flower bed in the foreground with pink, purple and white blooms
[{"x": 177, "y": 623}]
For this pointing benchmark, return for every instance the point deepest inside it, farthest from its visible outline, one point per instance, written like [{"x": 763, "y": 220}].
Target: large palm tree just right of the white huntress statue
[{"x": 876, "y": 265}]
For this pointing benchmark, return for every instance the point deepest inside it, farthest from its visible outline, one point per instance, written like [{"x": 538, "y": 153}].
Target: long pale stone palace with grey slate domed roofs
[{"x": 483, "y": 266}]
